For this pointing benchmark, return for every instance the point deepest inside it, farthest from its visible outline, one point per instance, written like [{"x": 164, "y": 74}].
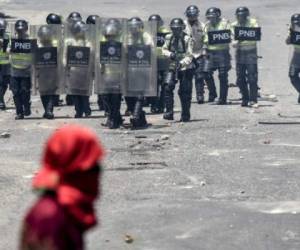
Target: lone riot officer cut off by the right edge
[{"x": 294, "y": 70}]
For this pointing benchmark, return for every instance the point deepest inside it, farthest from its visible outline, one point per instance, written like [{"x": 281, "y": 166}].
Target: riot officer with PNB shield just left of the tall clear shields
[{"x": 21, "y": 63}]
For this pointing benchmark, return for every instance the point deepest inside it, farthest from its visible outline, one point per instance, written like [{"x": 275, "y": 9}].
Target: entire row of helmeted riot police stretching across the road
[{"x": 139, "y": 60}]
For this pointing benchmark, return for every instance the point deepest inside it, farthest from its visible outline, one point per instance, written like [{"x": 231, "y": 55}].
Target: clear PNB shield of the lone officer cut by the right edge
[{"x": 294, "y": 53}]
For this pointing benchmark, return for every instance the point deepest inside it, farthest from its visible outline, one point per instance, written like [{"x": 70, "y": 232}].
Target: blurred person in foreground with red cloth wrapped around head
[{"x": 68, "y": 183}]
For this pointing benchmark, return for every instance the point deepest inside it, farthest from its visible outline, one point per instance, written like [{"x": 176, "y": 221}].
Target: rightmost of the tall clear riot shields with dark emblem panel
[{"x": 141, "y": 61}]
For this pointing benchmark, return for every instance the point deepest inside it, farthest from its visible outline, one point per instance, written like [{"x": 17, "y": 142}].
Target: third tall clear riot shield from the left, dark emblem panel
[{"x": 110, "y": 64}]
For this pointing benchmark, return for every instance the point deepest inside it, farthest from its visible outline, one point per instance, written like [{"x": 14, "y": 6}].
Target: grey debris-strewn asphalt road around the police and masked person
[{"x": 223, "y": 181}]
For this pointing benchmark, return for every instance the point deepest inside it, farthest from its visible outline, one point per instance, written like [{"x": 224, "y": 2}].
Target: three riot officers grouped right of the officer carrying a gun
[{"x": 211, "y": 52}]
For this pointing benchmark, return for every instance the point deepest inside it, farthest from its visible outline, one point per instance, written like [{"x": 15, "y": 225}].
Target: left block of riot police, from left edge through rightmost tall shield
[{"x": 110, "y": 56}]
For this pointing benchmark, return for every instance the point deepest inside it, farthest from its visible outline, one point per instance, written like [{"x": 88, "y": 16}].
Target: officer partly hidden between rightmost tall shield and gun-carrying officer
[{"x": 158, "y": 103}]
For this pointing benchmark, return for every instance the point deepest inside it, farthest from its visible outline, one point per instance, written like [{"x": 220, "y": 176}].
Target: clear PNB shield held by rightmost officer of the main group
[{"x": 246, "y": 41}]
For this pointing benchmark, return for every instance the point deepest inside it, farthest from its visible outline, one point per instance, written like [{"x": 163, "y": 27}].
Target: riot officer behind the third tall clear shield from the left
[{"x": 110, "y": 75}]
